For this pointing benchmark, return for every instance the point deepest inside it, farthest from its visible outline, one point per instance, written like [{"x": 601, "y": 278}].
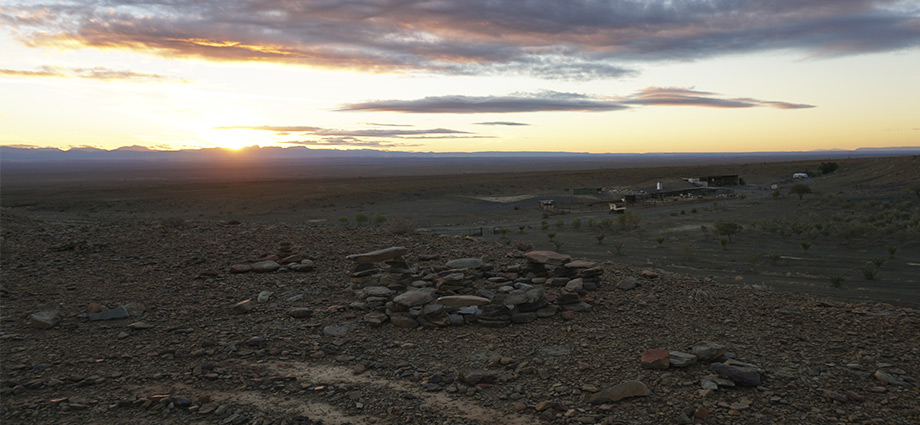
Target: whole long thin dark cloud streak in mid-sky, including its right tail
[{"x": 548, "y": 101}]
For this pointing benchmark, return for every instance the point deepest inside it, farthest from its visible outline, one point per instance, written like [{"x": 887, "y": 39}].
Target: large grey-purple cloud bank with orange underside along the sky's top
[{"x": 570, "y": 39}]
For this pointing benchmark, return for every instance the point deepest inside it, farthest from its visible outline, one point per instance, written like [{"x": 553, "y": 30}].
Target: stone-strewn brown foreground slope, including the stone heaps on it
[{"x": 166, "y": 322}]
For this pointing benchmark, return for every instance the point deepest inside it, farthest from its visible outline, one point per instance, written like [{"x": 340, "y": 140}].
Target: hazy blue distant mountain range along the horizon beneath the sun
[{"x": 10, "y": 154}]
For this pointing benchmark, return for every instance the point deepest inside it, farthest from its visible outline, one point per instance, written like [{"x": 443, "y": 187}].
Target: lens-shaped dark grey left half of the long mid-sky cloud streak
[{"x": 522, "y": 102}]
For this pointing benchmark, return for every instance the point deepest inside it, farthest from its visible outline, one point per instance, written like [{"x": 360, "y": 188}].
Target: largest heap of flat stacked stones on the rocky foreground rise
[{"x": 469, "y": 290}]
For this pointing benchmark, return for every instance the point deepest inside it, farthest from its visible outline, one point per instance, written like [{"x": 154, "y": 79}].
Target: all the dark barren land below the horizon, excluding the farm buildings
[{"x": 252, "y": 293}]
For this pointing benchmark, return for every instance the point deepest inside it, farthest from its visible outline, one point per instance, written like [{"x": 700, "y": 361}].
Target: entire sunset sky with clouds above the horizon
[{"x": 611, "y": 76}]
